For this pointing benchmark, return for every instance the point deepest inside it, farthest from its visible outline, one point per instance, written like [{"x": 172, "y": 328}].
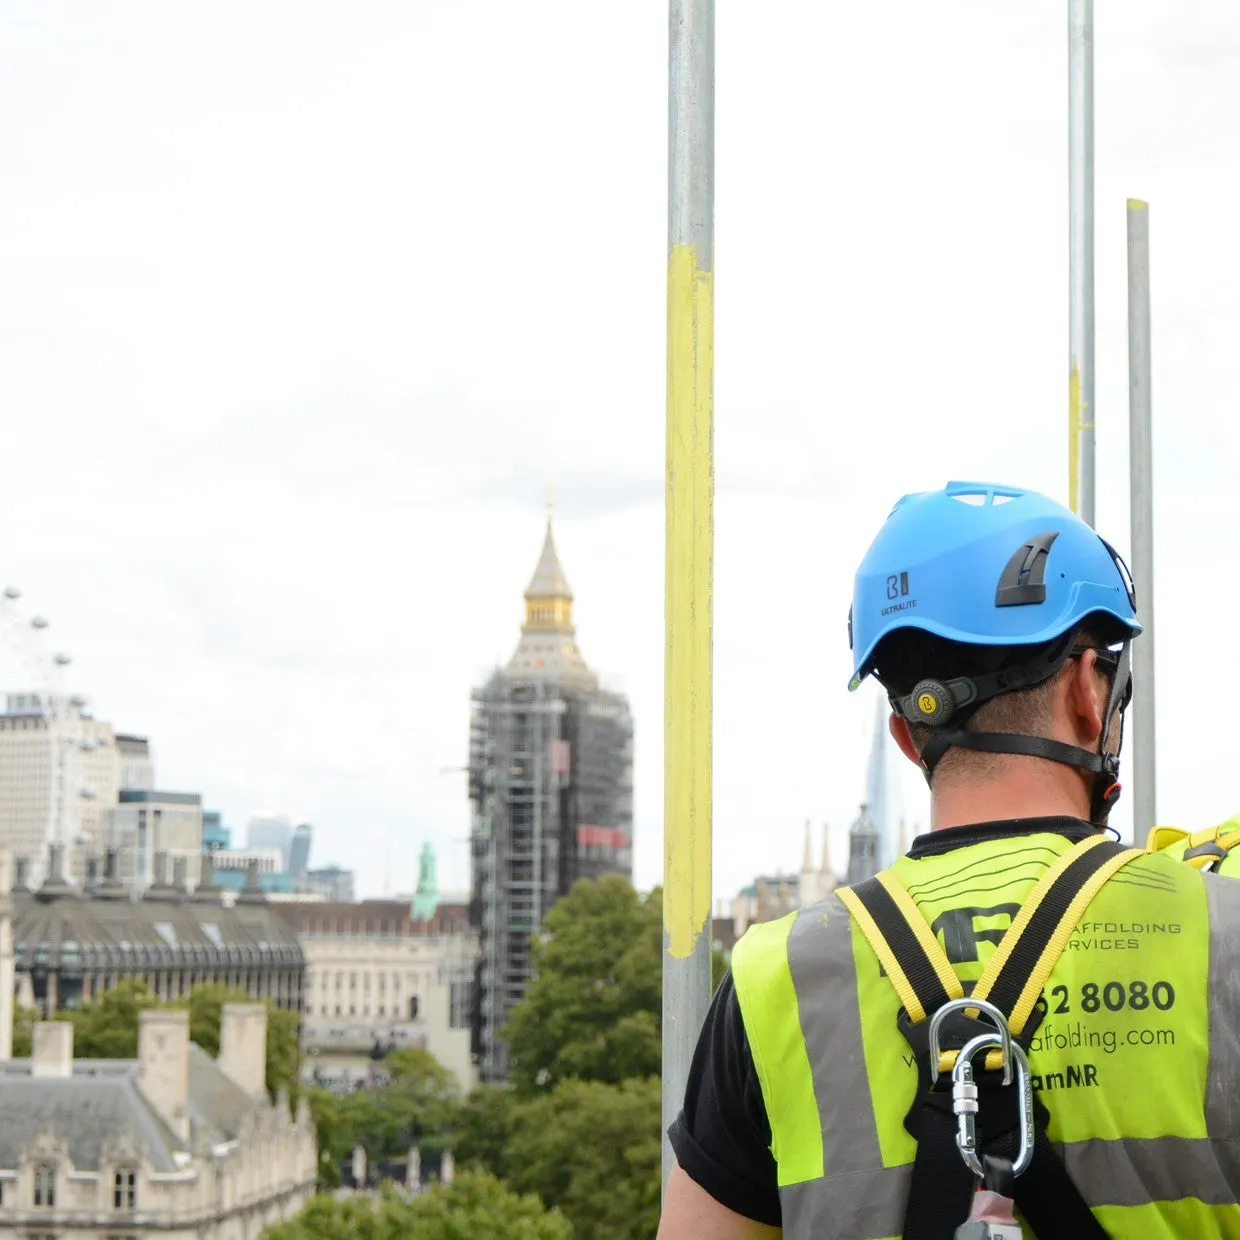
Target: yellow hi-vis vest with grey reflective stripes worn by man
[{"x": 1138, "y": 1057}]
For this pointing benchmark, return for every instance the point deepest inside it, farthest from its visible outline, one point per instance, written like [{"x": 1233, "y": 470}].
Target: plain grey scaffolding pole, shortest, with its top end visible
[{"x": 1141, "y": 503}]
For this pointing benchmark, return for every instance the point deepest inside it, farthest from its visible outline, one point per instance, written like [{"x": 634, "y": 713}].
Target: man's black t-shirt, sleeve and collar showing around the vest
[{"x": 722, "y": 1136}]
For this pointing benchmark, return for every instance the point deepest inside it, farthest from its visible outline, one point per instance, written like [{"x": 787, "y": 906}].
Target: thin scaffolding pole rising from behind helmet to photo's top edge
[{"x": 1081, "y": 257}]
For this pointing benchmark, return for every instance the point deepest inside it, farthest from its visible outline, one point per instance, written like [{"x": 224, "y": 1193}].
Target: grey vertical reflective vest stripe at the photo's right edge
[{"x": 1223, "y": 1083}]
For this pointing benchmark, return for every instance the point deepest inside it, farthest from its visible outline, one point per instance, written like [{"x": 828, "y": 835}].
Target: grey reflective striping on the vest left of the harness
[{"x": 859, "y": 1197}]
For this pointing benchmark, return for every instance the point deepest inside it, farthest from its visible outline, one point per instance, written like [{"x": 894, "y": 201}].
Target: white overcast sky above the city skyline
[{"x": 303, "y": 306}]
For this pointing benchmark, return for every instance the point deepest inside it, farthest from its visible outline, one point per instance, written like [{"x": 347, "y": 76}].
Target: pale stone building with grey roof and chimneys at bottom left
[{"x": 173, "y": 1143}]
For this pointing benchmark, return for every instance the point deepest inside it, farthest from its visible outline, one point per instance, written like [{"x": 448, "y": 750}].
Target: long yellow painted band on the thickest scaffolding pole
[{"x": 690, "y": 603}]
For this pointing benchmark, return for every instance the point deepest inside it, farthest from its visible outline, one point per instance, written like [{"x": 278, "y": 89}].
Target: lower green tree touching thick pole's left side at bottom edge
[{"x": 595, "y": 1151}]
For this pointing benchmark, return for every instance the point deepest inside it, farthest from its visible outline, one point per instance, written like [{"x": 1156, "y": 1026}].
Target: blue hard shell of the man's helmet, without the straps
[{"x": 985, "y": 566}]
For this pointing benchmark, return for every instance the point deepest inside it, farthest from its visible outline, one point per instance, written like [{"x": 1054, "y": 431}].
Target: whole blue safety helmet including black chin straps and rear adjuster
[{"x": 995, "y": 567}]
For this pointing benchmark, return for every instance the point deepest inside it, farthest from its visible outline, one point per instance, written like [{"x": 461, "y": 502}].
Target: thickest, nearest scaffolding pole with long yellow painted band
[{"x": 690, "y": 549}]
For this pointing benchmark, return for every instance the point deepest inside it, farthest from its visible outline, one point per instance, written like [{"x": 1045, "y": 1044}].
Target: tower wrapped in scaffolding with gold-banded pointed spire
[{"x": 551, "y": 792}]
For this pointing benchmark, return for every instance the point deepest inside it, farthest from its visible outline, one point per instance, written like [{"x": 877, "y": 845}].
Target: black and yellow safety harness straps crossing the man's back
[{"x": 1012, "y": 983}]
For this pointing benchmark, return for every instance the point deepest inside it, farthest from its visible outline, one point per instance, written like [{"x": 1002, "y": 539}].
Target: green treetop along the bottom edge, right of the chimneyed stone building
[{"x": 471, "y": 1208}]
